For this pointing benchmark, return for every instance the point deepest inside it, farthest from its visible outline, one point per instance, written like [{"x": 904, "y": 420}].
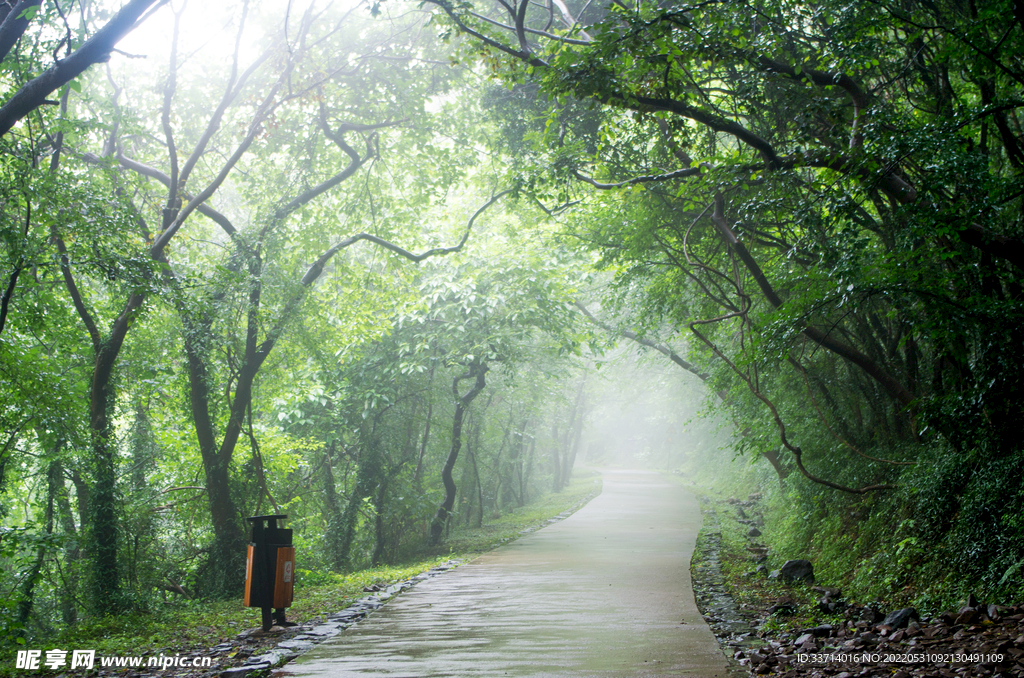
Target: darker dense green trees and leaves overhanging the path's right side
[{"x": 825, "y": 202}]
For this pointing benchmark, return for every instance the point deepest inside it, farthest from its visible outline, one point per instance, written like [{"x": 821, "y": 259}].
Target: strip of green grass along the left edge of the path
[{"x": 190, "y": 626}]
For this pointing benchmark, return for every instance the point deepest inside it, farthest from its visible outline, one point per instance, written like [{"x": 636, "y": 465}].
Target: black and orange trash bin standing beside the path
[{"x": 270, "y": 570}]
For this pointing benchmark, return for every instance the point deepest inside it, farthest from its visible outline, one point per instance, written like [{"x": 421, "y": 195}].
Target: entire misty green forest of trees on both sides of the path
[{"x": 314, "y": 261}]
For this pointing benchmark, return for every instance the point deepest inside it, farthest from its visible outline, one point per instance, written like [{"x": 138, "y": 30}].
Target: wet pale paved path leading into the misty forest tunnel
[{"x": 607, "y": 592}]
